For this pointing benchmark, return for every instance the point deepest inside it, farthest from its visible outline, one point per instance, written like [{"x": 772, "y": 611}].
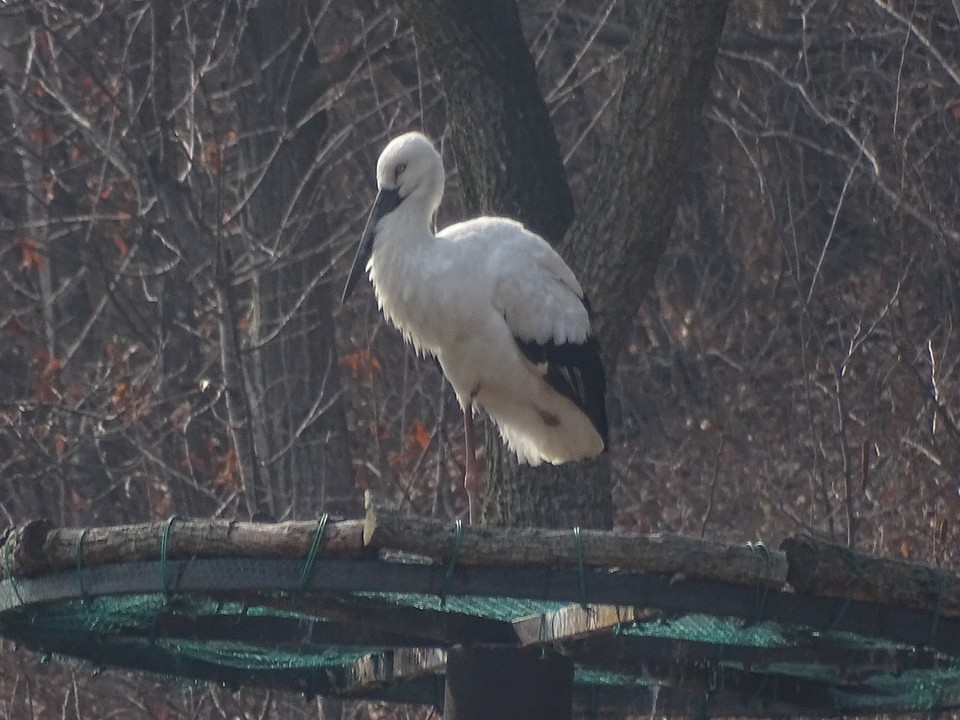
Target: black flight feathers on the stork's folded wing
[{"x": 575, "y": 371}]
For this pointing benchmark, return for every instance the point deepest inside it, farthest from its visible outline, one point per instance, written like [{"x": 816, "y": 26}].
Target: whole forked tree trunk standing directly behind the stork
[{"x": 510, "y": 164}]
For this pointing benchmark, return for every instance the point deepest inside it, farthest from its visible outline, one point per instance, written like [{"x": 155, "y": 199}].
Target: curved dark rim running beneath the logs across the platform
[{"x": 258, "y": 580}]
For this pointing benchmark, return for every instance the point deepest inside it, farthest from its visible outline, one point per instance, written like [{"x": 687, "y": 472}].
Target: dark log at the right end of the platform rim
[{"x": 827, "y": 570}]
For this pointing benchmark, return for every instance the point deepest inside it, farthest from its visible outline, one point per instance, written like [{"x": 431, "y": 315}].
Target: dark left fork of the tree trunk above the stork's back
[{"x": 509, "y": 160}]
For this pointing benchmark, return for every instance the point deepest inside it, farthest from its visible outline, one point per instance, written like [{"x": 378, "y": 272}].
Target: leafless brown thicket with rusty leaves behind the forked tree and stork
[{"x": 181, "y": 188}]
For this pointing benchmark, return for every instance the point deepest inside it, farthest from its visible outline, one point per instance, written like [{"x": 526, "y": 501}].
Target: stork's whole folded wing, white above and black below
[{"x": 545, "y": 309}]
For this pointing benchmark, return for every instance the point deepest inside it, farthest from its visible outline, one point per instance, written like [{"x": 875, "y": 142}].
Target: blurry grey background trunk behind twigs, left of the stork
[{"x": 297, "y": 417}]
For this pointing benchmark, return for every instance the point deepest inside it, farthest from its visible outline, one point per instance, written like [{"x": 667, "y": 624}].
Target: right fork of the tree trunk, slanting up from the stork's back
[{"x": 618, "y": 239}]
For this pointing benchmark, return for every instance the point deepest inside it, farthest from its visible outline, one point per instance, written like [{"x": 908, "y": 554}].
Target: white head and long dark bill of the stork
[{"x": 409, "y": 179}]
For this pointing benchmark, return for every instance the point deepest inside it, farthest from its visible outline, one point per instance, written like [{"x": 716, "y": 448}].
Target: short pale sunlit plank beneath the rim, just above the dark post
[{"x": 574, "y": 622}]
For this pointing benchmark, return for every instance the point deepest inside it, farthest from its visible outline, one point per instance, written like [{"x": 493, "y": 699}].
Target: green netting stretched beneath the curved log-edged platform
[{"x": 283, "y": 638}]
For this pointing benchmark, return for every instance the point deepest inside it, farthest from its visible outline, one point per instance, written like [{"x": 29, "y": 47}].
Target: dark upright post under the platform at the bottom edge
[{"x": 491, "y": 683}]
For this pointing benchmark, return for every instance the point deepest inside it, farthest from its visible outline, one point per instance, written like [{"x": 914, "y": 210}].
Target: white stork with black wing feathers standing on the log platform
[{"x": 495, "y": 304}]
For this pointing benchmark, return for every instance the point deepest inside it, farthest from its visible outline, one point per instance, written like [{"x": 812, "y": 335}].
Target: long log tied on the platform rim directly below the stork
[{"x": 683, "y": 557}]
